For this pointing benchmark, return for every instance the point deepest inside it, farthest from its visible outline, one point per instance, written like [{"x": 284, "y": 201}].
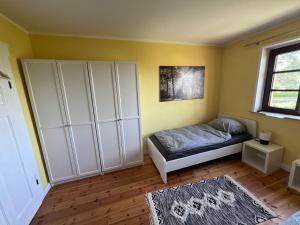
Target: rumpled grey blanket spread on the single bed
[{"x": 180, "y": 139}]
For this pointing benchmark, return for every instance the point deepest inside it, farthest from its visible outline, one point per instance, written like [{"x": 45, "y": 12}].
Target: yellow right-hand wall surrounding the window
[{"x": 239, "y": 74}]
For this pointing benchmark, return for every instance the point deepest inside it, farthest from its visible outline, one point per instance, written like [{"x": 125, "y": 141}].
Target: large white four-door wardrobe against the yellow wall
[{"x": 87, "y": 115}]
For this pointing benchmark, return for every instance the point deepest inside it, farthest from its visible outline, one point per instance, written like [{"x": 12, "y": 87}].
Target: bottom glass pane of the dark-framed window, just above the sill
[{"x": 283, "y": 99}]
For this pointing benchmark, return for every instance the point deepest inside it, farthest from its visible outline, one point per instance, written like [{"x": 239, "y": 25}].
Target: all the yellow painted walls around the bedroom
[{"x": 237, "y": 65}]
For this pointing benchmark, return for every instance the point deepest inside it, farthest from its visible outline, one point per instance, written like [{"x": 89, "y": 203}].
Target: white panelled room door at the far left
[{"x": 20, "y": 187}]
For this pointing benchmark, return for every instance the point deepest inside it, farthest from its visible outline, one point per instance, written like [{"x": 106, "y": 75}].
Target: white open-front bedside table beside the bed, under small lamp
[{"x": 266, "y": 158}]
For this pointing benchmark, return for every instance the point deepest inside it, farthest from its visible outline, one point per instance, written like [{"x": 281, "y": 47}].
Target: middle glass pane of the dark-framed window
[{"x": 286, "y": 80}]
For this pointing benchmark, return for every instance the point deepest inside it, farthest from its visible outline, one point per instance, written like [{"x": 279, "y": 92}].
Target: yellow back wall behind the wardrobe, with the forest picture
[{"x": 155, "y": 115}]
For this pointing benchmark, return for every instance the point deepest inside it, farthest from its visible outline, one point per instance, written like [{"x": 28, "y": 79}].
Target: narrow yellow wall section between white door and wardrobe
[{"x": 19, "y": 46}]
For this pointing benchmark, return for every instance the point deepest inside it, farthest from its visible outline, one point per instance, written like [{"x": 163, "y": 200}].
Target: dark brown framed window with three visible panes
[{"x": 282, "y": 88}]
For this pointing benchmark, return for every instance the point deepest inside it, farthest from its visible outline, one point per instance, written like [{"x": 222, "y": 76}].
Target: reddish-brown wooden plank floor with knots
[{"x": 119, "y": 197}]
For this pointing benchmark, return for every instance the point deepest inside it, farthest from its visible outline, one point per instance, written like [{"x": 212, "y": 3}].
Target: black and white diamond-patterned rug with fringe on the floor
[{"x": 216, "y": 201}]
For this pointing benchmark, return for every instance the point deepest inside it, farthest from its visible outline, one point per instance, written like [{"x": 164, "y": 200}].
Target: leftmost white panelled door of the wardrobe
[{"x": 45, "y": 95}]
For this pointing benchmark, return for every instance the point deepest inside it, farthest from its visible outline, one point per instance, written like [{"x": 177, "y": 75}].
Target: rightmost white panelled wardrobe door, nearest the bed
[{"x": 127, "y": 81}]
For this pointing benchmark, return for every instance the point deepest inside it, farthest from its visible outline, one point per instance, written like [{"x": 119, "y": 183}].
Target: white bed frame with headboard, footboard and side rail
[{"x": 164, "y": 166}]
